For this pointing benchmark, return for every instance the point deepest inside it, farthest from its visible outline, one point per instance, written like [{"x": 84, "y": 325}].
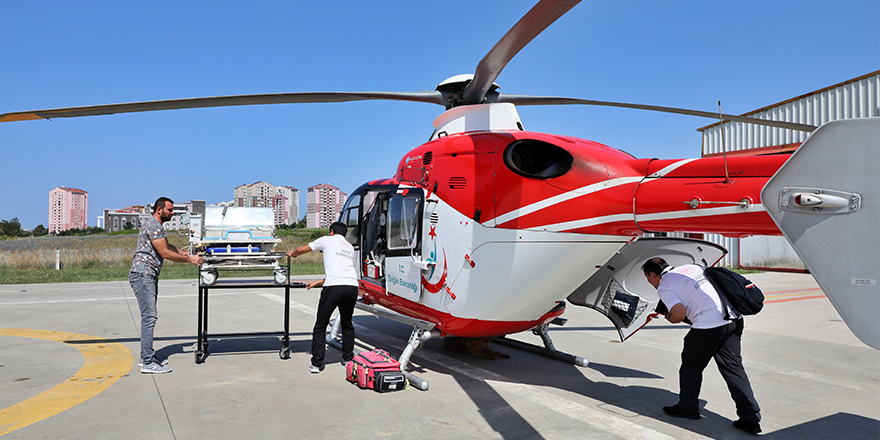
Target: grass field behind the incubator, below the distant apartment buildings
[{"x": 107, "y": 257}]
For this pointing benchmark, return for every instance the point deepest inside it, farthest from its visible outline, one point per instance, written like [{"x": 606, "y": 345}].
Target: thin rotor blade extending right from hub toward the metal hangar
[{"x": 550, "y": 100}]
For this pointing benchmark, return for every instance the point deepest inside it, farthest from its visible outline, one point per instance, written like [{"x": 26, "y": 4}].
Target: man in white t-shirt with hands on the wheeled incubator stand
[{"x": 340, "y": 286}]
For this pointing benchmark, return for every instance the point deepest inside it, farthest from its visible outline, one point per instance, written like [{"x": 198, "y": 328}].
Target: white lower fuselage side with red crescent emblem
[{"x": 498, "y": 274}]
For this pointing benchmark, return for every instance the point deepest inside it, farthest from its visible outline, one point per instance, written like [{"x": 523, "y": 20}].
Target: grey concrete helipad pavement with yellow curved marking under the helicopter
[{"x": 811, "y": 376}]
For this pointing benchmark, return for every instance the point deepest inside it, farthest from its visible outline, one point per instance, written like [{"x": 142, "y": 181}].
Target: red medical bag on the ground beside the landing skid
[{"x": 375, "y": 370}]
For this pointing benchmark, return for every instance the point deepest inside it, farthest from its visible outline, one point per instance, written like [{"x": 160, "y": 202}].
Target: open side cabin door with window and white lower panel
[{"x": 403, "y": 272}]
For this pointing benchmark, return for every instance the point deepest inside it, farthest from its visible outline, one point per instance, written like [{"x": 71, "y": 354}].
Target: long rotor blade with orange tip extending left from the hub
[{"x": 431, "y": 97}]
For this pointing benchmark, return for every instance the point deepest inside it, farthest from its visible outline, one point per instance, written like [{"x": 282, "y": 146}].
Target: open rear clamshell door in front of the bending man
[{"x": 619, "y": 289}]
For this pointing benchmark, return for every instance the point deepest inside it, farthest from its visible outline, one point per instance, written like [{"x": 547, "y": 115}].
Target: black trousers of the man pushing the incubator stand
[{"x": 333, "y": 297}]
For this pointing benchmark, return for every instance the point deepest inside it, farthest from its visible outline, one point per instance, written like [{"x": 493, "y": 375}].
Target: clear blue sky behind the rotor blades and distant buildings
[{"x": 747, "y": 54}]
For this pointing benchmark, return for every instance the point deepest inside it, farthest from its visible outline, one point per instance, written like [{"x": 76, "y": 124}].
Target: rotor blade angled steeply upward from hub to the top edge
[{"x": 525, "y": 30}]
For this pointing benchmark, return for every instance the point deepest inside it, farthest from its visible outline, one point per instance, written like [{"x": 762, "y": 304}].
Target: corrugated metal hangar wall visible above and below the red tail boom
[{"x": 857, "y": 98}]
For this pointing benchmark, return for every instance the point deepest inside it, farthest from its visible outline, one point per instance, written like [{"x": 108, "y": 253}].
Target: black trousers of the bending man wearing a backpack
[{"x": 723, "y": 344}]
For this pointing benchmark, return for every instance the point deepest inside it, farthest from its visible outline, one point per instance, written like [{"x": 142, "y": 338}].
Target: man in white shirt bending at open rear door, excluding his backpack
[{"x": 688, "y": 294}]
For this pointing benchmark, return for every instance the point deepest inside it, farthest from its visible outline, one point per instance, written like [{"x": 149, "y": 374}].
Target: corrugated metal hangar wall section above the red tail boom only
[{"x": 858, "y": 98}]
